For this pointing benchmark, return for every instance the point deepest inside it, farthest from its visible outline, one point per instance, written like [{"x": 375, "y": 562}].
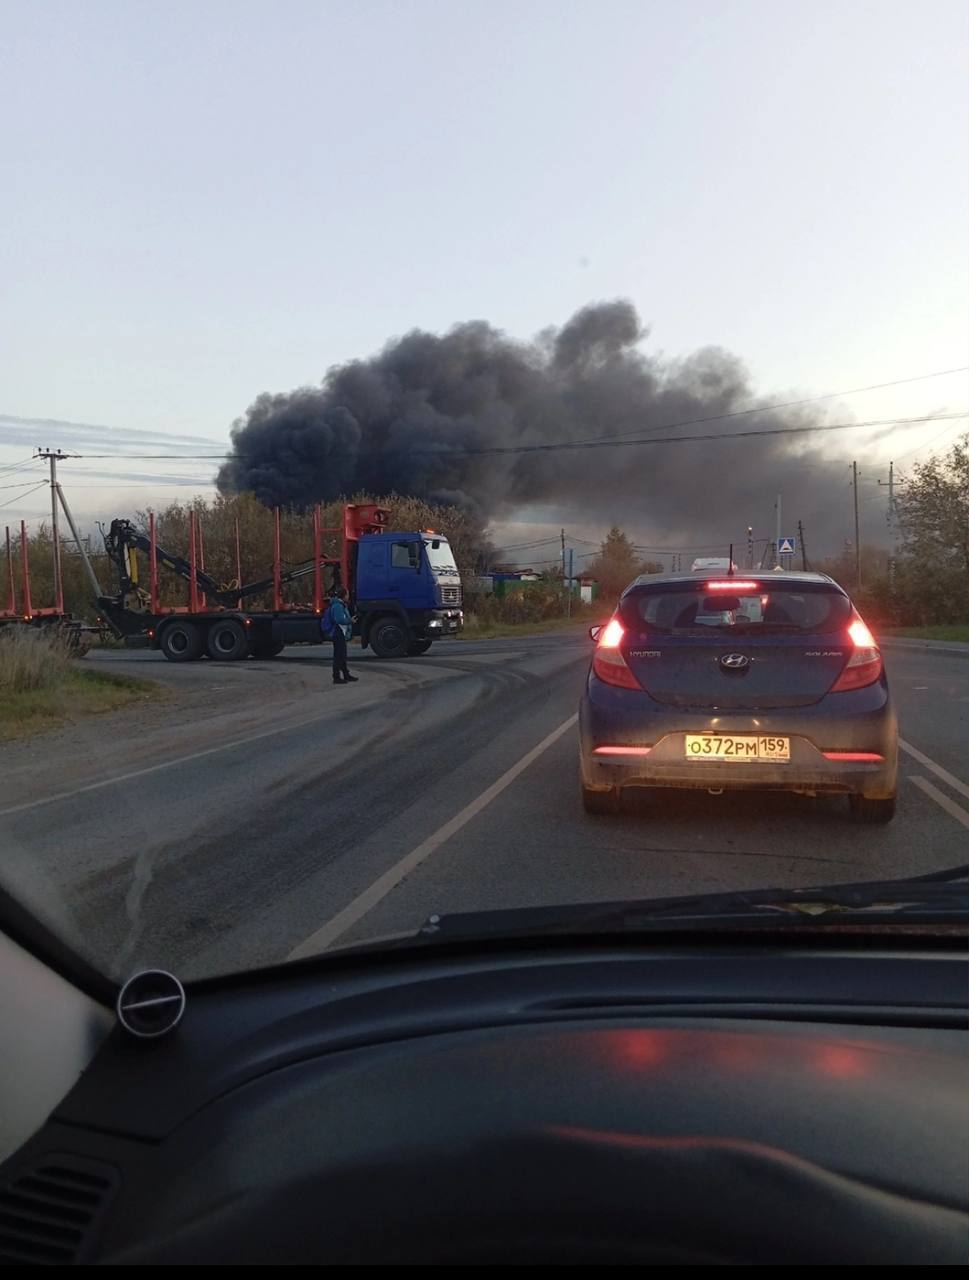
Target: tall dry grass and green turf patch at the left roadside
[{"x": 43, "y": 687}]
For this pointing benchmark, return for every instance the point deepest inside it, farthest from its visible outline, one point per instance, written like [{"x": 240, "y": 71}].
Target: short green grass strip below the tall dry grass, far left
[{"x": 76, "y": 694}]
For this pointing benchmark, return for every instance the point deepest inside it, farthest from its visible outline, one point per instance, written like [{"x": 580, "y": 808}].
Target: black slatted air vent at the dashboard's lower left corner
[{"x": 49, "y": 1213}]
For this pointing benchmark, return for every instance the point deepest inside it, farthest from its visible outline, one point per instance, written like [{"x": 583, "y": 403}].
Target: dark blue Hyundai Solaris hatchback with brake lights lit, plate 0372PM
[{"x": 762, "y": 682}]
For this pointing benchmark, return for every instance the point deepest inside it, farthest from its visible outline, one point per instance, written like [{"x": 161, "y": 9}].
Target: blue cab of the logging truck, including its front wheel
[{"x": 408, "y": 592}]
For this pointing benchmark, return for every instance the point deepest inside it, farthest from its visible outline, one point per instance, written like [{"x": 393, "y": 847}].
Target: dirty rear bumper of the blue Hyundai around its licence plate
[{"x": 611, "y": 717}]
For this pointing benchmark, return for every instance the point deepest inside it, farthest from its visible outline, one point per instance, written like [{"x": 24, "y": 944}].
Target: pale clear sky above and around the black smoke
[{"x": 207, "y": 200}]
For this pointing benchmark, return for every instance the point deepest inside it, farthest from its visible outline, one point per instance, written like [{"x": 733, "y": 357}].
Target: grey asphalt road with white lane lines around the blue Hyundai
[{"x": 263, "y": 813}]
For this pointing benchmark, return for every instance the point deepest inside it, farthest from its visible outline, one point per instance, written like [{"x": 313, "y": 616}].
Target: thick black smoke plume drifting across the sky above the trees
[{"x": 405, "y": 420}]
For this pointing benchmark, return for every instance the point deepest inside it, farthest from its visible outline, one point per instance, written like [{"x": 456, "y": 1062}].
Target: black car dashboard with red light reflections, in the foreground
[{"x": 596, "y": 1101}]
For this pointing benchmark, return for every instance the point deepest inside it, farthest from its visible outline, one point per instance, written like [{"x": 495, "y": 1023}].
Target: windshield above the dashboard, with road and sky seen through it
[{"x": 461, "y": 460}]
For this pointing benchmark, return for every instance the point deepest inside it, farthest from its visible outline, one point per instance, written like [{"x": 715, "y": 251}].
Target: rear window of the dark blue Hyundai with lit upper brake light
[{"x": 688, "y": 609}]
